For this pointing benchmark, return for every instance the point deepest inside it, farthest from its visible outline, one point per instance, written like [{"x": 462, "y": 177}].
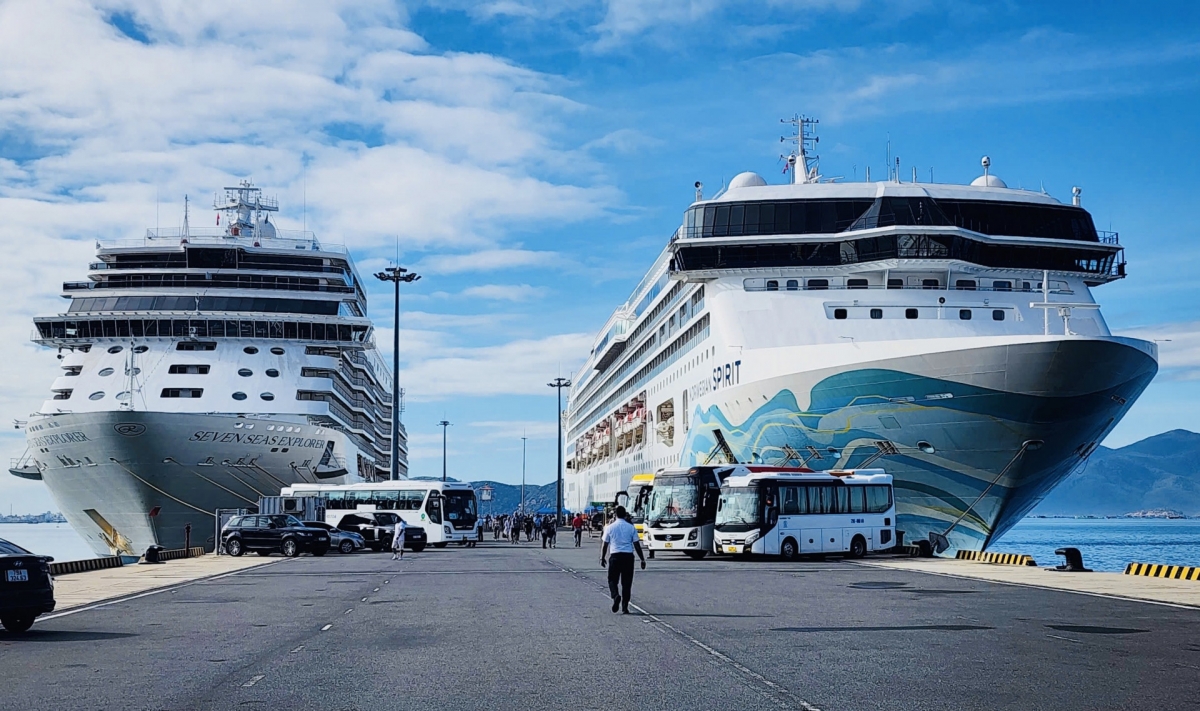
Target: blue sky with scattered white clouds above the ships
[{"x": 531, "y": 158}]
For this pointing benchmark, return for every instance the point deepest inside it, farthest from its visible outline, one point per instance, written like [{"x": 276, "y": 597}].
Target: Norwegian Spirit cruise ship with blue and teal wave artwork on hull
[{"x": 946, "y": 333}]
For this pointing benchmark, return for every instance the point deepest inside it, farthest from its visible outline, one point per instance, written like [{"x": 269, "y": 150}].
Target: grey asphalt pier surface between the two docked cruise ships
[{"x": 514, "y": 626}]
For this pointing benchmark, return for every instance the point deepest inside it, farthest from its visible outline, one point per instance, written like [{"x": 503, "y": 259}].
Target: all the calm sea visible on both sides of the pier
[{"x": 1107, "y": 545}]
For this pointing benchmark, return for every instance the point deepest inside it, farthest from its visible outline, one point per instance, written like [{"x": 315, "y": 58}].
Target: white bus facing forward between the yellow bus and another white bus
[{"x": 682, "y": 510}]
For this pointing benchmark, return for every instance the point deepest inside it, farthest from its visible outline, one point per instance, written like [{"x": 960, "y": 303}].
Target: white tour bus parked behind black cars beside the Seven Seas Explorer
[{"x": 446, "y": 510}]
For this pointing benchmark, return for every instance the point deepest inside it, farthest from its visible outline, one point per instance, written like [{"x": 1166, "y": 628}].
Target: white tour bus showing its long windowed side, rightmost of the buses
[{"x": 791, "y": 512}]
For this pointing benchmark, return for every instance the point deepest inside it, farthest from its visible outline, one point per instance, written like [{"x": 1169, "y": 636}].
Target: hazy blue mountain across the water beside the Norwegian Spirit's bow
[{"x": 1160, "y": 473}]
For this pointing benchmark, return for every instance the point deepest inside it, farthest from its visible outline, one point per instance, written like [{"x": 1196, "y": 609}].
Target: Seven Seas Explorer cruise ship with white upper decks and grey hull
[{"x": 203, "y": 368}]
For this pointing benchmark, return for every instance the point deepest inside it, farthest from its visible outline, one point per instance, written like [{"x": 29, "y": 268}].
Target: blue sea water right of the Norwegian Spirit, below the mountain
[{"x": 1107, "y": 545}]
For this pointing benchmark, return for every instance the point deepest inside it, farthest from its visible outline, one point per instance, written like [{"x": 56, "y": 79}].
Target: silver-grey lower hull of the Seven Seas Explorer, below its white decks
[{"x": 110, "y": 471}]
